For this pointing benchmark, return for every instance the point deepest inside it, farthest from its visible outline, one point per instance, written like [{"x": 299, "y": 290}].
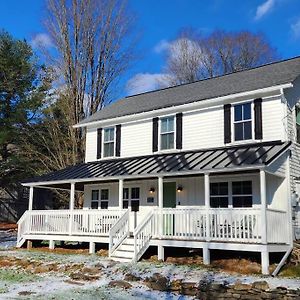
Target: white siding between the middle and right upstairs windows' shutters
[{"x": 203, "y": 129}]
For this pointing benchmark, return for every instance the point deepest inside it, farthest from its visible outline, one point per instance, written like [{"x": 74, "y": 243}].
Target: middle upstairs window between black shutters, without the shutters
[{"x": 167, "y": 133}]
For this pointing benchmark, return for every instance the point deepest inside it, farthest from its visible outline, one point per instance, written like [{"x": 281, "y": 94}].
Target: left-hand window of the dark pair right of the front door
[{"x": 219, "y": 194}]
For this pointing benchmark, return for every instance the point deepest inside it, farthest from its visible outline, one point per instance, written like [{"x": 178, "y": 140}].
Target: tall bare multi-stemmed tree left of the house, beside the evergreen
[{"x": 94, "y": 48}]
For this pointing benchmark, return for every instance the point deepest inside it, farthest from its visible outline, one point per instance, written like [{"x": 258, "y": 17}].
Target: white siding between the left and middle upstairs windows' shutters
[{"x": 136, "y": 139}]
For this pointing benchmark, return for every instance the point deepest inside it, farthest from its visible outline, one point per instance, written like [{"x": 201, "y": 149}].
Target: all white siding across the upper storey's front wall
[{"x": 200, "y": 129}]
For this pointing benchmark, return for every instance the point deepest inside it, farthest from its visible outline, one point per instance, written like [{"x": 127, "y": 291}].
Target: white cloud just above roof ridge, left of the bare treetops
[{"x": 144, "y": 82}]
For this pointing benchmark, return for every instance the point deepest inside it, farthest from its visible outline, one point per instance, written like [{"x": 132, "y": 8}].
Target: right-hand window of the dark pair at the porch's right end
[{"x": 242, "y": 194}]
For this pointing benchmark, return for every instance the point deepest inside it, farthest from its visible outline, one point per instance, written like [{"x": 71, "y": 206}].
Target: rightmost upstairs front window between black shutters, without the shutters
[{"x": 242, "y": 122}]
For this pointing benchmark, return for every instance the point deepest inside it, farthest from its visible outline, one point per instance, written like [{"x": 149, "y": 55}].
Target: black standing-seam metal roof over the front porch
[{"x": 225, "y": 159}]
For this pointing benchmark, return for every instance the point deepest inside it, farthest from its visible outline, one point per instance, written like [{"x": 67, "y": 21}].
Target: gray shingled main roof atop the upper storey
[{"x": 261, "y": 77}]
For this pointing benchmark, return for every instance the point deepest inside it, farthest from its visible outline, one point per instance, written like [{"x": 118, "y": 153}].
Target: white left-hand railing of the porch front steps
[{"x": 119, "y": 231}]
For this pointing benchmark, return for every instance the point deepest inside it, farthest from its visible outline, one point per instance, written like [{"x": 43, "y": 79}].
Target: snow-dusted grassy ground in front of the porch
[{"x": 23, "y": 275}]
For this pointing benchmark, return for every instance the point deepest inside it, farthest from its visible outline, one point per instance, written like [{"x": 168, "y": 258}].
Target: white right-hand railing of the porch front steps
[{"x": 142, "y": 236}]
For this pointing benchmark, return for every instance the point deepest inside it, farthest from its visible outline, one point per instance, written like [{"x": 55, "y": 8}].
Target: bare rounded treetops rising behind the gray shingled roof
[{"x": 193, "y": 57}]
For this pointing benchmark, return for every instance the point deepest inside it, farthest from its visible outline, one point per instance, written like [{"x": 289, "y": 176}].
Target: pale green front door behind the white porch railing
[{"x": 169, "y": 201}]
